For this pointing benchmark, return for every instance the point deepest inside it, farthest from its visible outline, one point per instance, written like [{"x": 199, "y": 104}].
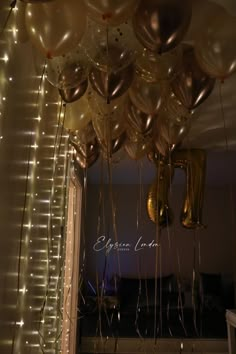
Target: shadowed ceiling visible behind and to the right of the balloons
[{"x": 213, "y": 128}]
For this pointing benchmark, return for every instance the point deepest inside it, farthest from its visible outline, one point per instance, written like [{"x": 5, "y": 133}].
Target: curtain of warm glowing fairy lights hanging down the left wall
[{"x": 41, "y": 266}]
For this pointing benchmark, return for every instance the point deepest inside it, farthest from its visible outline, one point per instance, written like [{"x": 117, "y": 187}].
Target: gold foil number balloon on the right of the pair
[{"x": 194, "y": 164}]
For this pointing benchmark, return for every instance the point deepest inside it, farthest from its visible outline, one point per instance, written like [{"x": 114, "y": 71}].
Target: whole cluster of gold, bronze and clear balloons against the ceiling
[{"x": 126, "y": 71}]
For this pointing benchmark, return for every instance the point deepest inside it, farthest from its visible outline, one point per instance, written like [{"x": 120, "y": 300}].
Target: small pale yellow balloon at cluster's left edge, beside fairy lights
[{"x": 78, "y": 115}]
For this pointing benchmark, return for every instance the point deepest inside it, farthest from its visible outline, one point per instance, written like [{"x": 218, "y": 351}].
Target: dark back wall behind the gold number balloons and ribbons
[{"x": 214, "y": 244}]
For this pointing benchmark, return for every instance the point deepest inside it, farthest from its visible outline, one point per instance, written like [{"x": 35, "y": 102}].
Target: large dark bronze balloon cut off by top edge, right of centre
[{"x": 161, "y": 24}]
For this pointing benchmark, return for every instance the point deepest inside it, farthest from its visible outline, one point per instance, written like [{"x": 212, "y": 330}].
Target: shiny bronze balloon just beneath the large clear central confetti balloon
[{"x": 111, "y": 85}]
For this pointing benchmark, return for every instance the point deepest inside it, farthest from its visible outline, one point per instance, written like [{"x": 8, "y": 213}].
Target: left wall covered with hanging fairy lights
[{"x": 32, "y": 180}]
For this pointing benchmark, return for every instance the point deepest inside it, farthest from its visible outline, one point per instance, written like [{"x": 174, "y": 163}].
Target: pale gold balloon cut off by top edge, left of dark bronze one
[{"x": 110, "y": 12}]
